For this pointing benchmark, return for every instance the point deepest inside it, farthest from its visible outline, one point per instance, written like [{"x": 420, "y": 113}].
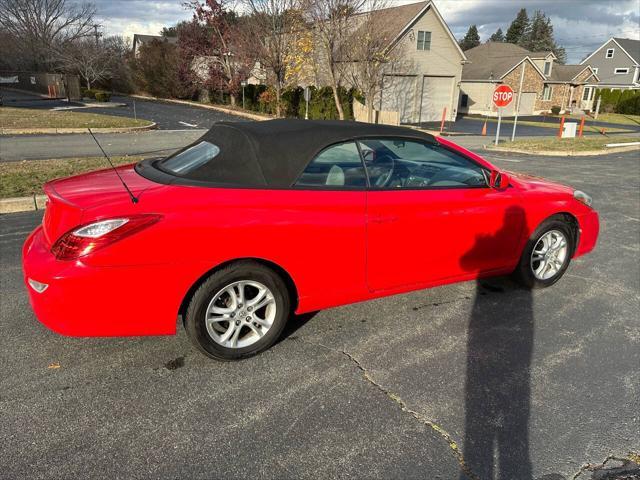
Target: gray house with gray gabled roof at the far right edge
[{"x": 617, "y": 63}]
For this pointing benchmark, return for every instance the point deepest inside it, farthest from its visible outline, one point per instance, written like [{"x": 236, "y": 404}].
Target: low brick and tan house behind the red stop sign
[{"x": 545, "y": 83}]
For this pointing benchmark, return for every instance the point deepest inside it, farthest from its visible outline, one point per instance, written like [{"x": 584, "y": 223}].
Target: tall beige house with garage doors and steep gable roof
[{"x": 425, "y": 83}]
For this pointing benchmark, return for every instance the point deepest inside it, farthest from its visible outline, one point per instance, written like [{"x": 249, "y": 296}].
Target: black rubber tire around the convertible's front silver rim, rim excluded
[{"x": 524, "y": 271}]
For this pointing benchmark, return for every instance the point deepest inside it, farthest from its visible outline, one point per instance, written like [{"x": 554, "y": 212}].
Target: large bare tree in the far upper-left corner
[{"x": 43, "y": 25}]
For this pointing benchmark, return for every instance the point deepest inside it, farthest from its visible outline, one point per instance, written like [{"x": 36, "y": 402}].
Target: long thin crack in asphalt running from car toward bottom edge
[{"x": 446, "y": 436}]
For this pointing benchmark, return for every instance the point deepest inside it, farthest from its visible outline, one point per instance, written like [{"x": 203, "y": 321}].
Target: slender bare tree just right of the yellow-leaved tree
[{"x": 332, "y": 24}]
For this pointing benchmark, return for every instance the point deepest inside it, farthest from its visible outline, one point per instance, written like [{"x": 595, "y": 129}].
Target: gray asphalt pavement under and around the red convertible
[{"x": 523, "y": 385}]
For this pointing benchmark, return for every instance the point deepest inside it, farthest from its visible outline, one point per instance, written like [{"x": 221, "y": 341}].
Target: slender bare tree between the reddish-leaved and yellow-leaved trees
[{"x": 273, "y": 25}]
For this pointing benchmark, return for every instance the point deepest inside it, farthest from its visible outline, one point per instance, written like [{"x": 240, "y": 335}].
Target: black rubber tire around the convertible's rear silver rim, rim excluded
[{"x": 194, "y": 320}]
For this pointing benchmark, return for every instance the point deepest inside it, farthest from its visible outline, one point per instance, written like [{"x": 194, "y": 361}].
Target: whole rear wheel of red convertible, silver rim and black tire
[{"x": 238, "y": 311}]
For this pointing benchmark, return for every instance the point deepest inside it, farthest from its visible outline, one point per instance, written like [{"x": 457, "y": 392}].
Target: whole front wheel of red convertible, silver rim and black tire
[{"x": 546, "y": 256}]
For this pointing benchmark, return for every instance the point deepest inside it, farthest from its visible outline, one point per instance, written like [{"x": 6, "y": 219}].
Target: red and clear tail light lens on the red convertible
[{"x": 88, "y": 238}]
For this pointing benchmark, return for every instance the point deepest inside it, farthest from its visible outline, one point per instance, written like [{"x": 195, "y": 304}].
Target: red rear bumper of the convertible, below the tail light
[{"x": 83, "y": 300}]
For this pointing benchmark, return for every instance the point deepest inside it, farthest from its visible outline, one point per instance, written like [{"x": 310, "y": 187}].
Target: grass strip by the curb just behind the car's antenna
[{"x": 20, "y": 179}]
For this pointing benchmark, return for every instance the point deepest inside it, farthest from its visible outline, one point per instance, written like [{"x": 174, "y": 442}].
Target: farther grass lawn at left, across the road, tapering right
[{"x": 37, "y": 118}]
